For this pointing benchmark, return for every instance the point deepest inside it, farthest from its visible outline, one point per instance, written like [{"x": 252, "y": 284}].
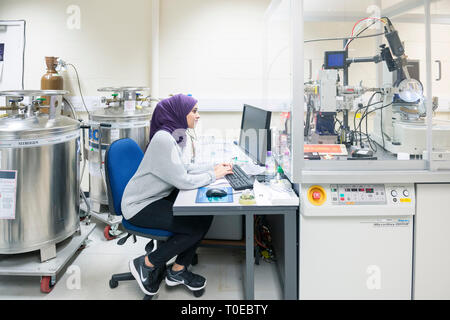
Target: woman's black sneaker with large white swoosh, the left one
[{"x": 148, "y": 278}]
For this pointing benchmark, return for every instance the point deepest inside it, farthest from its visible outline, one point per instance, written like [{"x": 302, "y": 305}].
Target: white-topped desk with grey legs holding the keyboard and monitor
[{"x": 185, "y": 205}]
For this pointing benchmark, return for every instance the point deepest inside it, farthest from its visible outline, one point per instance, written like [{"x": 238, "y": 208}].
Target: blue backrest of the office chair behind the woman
[{"x": 122, "y": 160}]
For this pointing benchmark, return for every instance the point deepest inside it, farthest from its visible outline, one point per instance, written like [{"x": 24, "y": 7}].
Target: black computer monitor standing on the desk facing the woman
[{"x": 254, "y": 137}]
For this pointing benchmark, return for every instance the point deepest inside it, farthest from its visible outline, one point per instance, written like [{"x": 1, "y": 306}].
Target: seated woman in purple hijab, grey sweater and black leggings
[{"x": 149, "y": 196}]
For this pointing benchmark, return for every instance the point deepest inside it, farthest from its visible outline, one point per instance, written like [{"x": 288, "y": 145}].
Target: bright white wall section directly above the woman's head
[{"x": 212, "y": 48}]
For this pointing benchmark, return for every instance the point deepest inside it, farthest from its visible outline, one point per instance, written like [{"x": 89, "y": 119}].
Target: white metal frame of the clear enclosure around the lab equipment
[{"x": 411, "y": 170}]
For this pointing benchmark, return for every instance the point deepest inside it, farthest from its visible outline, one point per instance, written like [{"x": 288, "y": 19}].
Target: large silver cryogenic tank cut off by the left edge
[{"x": 39, "y": 173}]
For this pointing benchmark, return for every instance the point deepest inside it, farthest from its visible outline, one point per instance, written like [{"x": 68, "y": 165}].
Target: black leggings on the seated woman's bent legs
[{"x": 188, "y": 231}]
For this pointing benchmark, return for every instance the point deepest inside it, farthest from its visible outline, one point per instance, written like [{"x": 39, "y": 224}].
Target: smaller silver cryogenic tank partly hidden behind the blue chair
[{"x": 124, "y": 117}]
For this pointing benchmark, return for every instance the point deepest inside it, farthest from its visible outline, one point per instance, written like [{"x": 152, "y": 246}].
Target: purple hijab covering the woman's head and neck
[{"x": 170, "y": 115}]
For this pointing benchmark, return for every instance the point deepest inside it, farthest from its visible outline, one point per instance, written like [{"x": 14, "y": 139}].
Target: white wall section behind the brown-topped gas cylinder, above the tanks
[{"x": 111, "y": 48}]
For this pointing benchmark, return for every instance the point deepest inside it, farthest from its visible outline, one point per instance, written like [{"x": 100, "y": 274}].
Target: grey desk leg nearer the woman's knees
[{"x": 249, "y": 258}]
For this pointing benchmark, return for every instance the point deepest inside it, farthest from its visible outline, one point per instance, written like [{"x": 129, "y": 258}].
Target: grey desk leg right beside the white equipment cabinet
[{"x": 290, "y": 256}]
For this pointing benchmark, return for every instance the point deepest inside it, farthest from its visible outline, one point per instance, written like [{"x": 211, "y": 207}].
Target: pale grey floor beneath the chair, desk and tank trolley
[{"x": 87, "y": 275}]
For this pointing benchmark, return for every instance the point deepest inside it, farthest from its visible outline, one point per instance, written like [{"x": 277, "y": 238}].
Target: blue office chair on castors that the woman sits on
[{"x": 122, "y": 160}]
